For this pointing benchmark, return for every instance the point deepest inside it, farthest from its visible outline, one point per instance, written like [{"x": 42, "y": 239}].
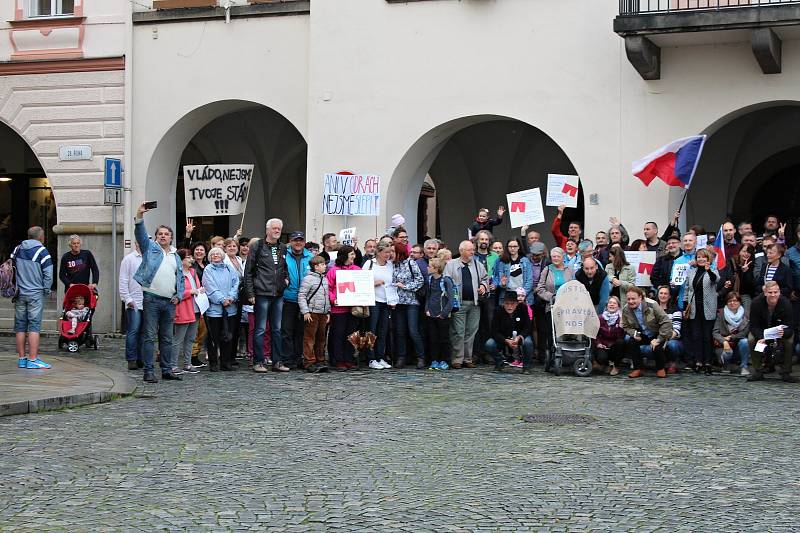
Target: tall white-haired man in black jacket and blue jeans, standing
[{"x": 265, "y": 279}]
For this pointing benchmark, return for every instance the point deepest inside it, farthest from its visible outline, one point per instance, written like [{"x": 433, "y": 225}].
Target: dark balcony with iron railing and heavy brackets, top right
[{"x": 646, "y": 25}]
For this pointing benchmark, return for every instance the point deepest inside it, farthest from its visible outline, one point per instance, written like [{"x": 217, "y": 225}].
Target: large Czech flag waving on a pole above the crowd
[{"x": 674, "y": 164}]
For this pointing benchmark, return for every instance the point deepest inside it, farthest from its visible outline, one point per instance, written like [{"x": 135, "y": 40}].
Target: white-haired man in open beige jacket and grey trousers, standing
[{"x": 472, "y": 281}]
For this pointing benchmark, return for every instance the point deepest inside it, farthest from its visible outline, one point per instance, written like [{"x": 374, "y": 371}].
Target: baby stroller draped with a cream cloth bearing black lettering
[{"x": 574, "y": 324}]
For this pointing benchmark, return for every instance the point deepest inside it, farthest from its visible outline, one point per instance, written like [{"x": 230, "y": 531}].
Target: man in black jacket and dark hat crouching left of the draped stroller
[{"x": 511, "y": 327}]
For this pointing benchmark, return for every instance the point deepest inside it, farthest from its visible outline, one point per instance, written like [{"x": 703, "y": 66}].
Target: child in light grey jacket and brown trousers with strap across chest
[{"x": 315, "y": 308}]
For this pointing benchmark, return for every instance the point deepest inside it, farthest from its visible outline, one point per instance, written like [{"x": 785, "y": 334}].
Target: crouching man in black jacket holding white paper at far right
[{"x": 770, "y": 310}]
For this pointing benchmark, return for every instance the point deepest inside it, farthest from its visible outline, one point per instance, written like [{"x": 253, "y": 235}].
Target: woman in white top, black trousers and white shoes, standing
[{"x": 386, "y": 298}]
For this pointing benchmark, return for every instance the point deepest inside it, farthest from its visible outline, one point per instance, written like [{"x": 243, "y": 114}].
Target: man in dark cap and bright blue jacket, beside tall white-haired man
[{"x": 297, "y": 264}]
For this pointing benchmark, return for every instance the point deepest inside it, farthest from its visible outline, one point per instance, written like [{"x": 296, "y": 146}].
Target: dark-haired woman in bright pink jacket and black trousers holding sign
[{"x": 343, "y": 323}]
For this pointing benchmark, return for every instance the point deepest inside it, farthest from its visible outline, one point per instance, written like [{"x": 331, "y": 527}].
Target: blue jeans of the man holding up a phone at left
[{"x": 158, "y": 317}]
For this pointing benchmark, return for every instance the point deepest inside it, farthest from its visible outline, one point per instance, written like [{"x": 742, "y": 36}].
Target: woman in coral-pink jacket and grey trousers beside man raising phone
[{"x": 187, "y": 315}]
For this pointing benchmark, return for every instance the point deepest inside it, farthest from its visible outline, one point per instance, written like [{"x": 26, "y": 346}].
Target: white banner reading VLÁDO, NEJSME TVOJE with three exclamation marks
[{"x": 211, "y": 190}]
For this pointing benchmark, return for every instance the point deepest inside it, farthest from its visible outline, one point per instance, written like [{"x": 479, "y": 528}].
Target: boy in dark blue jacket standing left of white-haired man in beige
[{"x": 438, "y": 306}]
